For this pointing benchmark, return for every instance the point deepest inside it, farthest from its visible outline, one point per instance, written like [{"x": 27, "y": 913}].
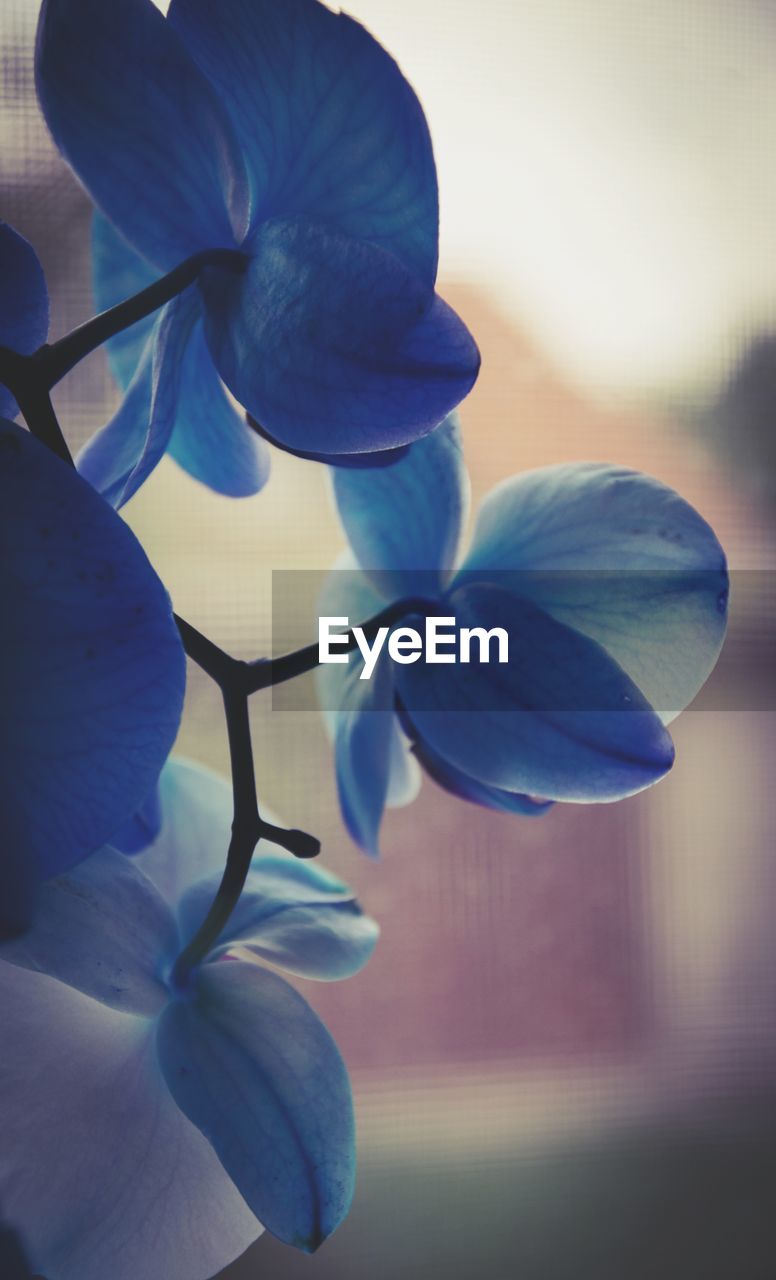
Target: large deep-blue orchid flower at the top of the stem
[{"x": 282, "y": 131}]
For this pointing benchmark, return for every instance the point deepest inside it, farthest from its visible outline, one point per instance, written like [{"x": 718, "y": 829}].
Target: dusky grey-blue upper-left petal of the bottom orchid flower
[{"x": 104, "y": 930}]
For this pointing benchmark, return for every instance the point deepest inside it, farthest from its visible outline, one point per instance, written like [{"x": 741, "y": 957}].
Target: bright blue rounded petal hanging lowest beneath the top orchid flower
[{"x": 212, "y": 440}]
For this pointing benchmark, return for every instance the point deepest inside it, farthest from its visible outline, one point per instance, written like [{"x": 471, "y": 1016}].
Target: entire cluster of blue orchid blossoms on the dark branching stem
[{"x": 266, "y": 248}]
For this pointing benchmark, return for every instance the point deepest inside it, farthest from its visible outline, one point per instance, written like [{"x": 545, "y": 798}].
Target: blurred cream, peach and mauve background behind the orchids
[{"x": 564, "y": 1053}]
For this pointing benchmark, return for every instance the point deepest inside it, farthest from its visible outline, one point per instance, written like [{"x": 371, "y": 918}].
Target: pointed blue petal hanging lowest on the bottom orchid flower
[{"x": 252, "y": 1066}]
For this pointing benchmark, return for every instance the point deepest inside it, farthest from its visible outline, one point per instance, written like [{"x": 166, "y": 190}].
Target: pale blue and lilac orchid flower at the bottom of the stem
[{"x": 154, "y": 1135}]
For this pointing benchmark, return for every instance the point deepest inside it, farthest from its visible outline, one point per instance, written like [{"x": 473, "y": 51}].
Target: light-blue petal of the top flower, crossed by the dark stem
[{"x": 120, "y": 273}]
